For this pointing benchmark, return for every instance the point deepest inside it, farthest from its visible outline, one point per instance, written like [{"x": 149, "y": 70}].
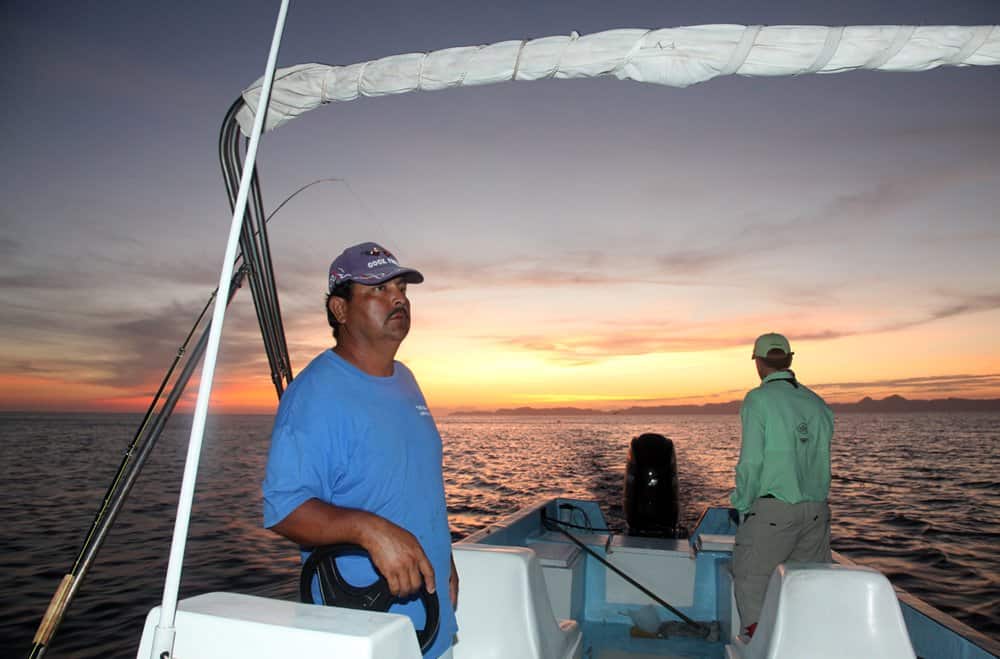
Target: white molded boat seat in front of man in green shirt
[{"x": 825, "y": 611}]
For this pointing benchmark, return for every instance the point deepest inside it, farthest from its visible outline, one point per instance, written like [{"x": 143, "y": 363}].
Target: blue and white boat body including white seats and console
[{"x": 552, "y": 581}]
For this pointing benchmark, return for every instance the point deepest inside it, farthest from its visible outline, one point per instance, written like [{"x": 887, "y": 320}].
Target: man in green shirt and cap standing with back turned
[{"x": 782, "y": 477}]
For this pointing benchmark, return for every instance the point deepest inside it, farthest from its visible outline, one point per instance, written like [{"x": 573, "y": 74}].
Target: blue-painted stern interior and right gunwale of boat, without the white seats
[{"x": 691, "y": 574}]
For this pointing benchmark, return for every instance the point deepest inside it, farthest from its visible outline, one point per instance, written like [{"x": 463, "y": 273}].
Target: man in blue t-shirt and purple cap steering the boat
[{"x": 355, "y": 454}]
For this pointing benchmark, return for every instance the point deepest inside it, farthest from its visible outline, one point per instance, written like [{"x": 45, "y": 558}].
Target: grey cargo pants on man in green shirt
[{"x": 776, "y": 532}]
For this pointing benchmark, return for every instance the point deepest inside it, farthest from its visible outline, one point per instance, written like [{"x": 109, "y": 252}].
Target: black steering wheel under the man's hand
[{"x": 335, "y": 590}]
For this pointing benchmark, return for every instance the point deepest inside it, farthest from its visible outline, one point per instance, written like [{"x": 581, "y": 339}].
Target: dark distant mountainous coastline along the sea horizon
[{"x": 889, "y": 404}]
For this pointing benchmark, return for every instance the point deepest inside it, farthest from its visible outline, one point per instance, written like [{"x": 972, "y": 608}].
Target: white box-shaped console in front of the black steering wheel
[{"x": 217, "y": 625}]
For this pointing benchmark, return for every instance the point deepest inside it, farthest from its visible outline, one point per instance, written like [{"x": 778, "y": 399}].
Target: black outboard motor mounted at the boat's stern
[{"x": 651, "y": 491}]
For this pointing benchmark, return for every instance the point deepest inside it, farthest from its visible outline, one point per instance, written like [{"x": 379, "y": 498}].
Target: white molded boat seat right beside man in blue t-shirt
[{"x": 504, "y": 609}]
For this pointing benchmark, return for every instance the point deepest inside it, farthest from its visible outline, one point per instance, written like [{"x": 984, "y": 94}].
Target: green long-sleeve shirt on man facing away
[{"x": 785, "y": 450}]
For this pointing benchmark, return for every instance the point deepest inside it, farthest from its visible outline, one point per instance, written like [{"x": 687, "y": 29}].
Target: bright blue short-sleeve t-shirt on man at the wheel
[{"x": 360, "y": 441}]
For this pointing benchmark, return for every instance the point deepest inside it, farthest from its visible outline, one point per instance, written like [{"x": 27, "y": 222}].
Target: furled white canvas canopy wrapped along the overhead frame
[{"x": 677, "y": 57}]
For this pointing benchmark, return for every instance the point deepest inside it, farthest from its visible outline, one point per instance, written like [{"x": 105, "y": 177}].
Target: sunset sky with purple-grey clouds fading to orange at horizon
[{"x": 588, "y": 243}]
